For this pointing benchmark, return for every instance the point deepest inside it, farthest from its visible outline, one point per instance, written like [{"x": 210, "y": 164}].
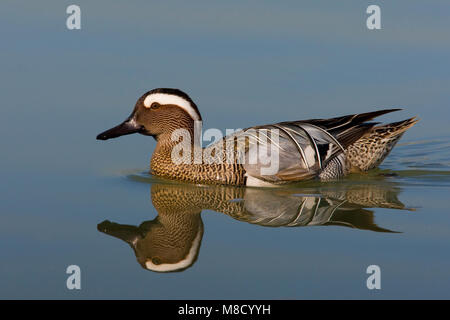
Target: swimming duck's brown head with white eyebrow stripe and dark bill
[{"x": 157, "y": 112}]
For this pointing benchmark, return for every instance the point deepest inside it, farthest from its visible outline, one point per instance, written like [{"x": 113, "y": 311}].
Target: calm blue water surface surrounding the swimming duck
[{"x": 244, "y": 64}]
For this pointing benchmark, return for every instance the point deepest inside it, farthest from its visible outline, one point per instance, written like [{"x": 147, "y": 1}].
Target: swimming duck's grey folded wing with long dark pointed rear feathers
[{"x": 297, "y": 150}]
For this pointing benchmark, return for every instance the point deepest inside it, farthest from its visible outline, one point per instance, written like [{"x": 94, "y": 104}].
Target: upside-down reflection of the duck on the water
[{"x": 171, "y": 241}]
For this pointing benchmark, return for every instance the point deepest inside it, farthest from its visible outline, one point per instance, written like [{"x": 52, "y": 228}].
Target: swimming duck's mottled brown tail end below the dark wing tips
[{"x": 371, "y": 149}]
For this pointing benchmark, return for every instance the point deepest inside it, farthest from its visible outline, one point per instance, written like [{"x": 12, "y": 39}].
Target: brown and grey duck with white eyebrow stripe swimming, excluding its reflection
[{"x": 292, "y": 151}]
